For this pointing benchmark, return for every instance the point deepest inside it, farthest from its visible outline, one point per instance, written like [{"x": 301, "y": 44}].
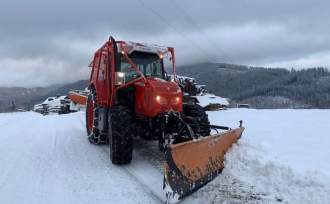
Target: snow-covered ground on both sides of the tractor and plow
[{"x": 283, "y": 157}]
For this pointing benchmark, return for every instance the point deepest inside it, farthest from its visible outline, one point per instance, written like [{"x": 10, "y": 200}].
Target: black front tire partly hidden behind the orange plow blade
[{"x": 196, "y": 117}]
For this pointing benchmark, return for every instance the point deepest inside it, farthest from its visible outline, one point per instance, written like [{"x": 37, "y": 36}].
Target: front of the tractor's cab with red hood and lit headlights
[{"x": 142, "y": 67}]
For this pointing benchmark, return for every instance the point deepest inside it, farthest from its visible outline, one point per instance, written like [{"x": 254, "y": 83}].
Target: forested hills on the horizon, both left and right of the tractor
[{"x": 259, "y": 87}]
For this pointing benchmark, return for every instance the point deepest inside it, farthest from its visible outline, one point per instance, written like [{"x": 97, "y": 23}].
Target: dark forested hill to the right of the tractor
[{"x": 264, "y": 87}]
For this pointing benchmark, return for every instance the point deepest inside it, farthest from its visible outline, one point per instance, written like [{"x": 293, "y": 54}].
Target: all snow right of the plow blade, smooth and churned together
[{"x": 281, "y": 158}]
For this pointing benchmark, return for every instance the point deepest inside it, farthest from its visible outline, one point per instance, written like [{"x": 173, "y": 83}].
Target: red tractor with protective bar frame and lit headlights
[{"x": 132, "y": 95}]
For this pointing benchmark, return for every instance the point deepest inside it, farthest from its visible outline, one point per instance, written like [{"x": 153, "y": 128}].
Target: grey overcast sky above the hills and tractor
[{"x": 49, "y": 42}]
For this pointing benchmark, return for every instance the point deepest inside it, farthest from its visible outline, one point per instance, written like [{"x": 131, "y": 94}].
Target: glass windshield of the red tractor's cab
[{"x": 148, "y": 63}]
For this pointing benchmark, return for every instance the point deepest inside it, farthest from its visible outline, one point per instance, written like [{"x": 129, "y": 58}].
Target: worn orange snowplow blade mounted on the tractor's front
[{"x": 190, "y": 165}]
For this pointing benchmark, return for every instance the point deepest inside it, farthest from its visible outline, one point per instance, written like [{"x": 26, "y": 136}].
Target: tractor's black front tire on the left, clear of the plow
[{"x": 120, "y": 133}]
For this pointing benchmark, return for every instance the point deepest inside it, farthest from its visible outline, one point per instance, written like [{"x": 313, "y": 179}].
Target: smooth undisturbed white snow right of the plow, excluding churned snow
[{"x": 296, "y": 138}]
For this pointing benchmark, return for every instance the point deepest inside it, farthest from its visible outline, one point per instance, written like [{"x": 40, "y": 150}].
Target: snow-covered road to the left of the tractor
[{"x": 47, "y": 159}]
